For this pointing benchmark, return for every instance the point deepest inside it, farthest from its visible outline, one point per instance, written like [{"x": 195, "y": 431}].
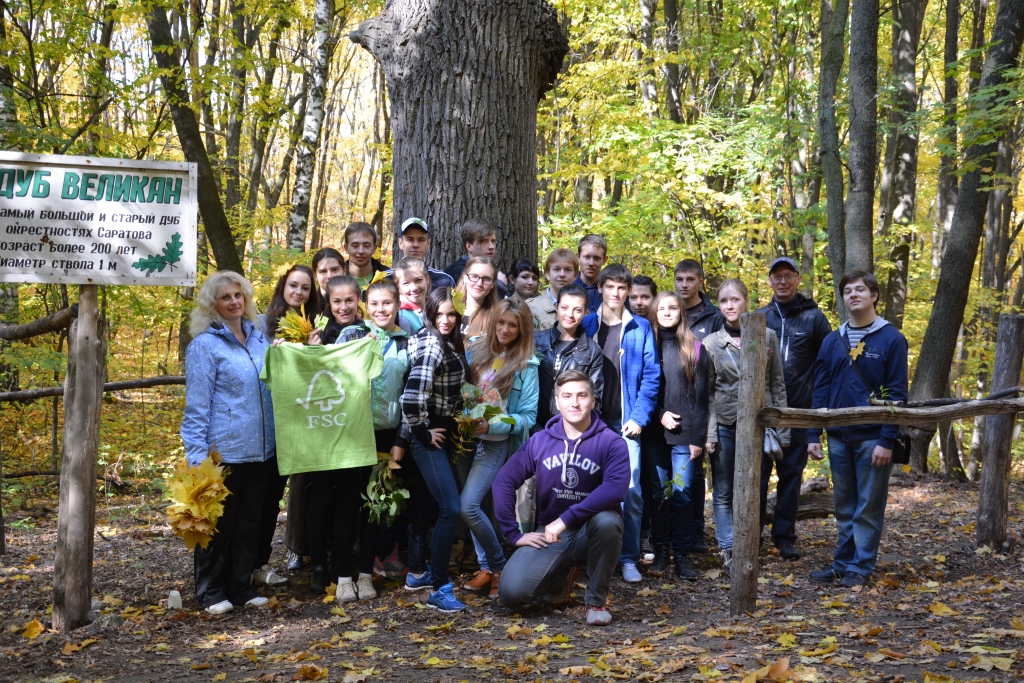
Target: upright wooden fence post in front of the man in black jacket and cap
[{"x": 747, "y": 478}]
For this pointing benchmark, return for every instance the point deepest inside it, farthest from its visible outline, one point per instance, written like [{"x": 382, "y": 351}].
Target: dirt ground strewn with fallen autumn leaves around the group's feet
[{"x": 937, "y": 611}]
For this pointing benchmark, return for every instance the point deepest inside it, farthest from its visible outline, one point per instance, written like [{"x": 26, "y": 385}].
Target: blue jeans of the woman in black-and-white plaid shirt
[{"x": 437, "y": 472}]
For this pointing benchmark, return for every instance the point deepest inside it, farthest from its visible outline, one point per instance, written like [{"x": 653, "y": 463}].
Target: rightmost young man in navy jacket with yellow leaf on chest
[{"x": 866, "y": 358}]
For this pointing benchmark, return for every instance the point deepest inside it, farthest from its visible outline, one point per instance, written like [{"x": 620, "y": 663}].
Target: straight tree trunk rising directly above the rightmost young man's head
[{"x": 863, "y": 155}]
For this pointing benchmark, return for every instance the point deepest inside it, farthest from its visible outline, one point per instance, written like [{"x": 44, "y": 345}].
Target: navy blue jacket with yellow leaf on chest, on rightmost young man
[{"x": 883, "y": 364}]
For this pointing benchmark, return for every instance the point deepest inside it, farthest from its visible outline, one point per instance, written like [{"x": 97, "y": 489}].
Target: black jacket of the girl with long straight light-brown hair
[{"x": 689, "y": 401}]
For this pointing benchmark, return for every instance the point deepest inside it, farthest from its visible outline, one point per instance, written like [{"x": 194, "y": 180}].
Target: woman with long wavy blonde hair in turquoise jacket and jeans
[{"x": 503, "y": 367}]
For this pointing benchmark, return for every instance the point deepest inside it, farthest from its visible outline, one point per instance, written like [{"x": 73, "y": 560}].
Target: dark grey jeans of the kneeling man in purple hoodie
[{"x": 533, "y": 573}]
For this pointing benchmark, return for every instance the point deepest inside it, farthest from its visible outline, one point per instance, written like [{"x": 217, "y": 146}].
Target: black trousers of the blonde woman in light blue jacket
[{"x": 224, "y": 570}]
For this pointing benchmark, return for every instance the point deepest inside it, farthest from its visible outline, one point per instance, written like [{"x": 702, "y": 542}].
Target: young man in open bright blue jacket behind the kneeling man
[{"x": 632, "y": 379}]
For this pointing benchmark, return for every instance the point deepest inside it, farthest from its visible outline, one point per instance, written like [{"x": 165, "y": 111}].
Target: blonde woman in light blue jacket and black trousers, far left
[{"x": 228, "y": 408}]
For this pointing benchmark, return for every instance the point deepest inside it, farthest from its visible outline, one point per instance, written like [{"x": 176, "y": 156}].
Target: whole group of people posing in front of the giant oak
[{"x": 610, "y": 396}]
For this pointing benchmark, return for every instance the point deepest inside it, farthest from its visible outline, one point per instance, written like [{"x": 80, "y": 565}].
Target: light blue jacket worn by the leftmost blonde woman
[{"x": 227, "y": 405}]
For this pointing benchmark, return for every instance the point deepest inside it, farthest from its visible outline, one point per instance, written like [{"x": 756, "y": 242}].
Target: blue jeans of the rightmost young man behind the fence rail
[{"x": 861, "y": 493}]
